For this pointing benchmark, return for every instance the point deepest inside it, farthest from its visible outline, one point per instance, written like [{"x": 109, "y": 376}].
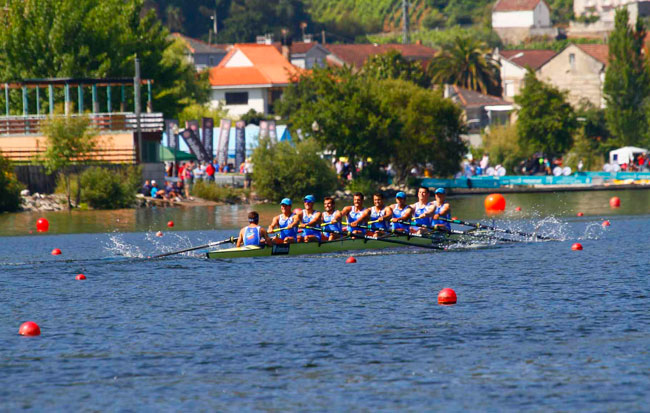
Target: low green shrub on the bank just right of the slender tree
[{"x": 107, "y": 189}]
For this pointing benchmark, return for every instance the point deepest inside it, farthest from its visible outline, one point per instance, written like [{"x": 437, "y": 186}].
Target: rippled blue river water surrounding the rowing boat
[{"x": 537, "y": 326}]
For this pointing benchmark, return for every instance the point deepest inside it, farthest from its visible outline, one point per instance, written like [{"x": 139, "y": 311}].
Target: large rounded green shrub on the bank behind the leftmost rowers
[{"x": 283, "y": 170}]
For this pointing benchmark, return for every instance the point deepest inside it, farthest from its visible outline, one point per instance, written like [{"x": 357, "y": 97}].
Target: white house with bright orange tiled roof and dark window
[{"x": 250, "y": 76}]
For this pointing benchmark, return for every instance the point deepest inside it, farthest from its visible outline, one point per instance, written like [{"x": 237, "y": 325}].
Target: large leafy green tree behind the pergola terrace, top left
[{"x": 94, "y": 38}]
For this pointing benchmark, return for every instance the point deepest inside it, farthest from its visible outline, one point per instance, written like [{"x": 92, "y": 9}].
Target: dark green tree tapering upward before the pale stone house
[{"x": 546, "y": 120}]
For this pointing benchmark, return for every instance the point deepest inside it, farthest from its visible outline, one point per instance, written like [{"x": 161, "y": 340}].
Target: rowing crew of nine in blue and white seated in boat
[{"x": 356, "y": 221}]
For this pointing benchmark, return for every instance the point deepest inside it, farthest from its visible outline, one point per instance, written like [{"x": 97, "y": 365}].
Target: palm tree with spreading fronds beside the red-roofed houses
[{"x": 466, "y": 62}]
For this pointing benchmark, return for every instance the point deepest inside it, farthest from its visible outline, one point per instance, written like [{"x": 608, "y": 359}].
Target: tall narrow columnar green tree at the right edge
[{"x": 627, "y": 82}]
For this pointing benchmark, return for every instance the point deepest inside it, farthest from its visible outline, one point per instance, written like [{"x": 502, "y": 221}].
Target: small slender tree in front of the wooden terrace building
[{"x": 70, "y": 141}]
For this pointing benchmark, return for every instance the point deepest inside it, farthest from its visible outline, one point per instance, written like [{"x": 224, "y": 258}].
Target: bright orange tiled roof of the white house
[{"x": 269, "y": 67}]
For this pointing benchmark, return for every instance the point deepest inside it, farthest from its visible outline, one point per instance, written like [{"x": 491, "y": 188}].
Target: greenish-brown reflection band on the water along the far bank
[{"x": 542, "y": 208}]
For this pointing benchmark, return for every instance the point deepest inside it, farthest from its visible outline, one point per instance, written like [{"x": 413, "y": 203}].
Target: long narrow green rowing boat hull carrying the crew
[{"x": 437, "y": 240}]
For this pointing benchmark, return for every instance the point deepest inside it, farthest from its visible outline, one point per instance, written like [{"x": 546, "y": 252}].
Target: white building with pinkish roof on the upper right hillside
[{"x": 518, "y": 20}]
